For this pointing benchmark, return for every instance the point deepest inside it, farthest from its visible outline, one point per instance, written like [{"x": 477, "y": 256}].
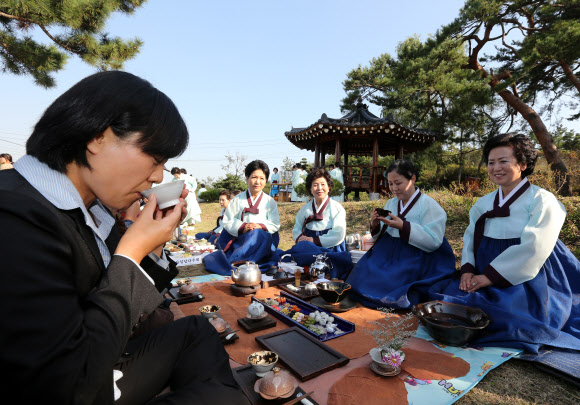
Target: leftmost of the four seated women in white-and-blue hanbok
[{"x": 251, "y": 223}]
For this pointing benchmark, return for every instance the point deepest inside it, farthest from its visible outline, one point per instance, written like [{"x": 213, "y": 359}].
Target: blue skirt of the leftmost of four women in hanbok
[{"x": 257, "y": 246}]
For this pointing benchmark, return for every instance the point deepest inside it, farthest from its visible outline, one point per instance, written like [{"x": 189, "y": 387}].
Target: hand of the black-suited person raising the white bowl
[{"x": 151, "y": 230}]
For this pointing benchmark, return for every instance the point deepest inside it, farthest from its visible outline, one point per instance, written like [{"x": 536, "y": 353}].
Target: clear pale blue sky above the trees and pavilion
[{"x": 240, "y": 72}]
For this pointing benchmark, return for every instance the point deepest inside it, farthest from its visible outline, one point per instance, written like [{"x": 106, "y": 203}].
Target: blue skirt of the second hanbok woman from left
[{"x": 304, "y": 253}]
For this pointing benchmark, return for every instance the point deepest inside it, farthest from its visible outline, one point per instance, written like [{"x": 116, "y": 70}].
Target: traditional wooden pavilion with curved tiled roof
[{"x": 360, "y": 133}]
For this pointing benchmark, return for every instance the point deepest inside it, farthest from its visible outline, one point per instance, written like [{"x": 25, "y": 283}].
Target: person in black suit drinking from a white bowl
[{"x": 72, "y": 291}]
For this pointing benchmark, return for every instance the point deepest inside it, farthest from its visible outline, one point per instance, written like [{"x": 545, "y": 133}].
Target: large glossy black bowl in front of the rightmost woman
[{"x": 451, "y": 324}]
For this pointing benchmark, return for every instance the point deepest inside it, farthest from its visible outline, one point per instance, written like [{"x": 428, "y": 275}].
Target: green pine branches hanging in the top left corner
[{"x": 73, "y": 27}]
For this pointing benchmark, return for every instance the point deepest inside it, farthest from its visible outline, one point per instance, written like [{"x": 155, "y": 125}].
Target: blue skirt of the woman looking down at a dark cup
[{"x": 395, "y": 274}]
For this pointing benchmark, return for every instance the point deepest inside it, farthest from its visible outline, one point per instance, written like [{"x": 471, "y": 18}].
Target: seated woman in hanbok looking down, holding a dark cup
[{"x": 411, "y": 251}]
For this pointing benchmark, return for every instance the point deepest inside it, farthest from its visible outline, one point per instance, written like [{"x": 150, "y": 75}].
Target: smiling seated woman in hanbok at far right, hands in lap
[{"x": 514, "y": 267}]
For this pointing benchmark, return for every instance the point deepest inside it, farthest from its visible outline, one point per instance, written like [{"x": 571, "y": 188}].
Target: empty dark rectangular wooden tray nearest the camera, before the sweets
[{"x": 303, "y": 354}]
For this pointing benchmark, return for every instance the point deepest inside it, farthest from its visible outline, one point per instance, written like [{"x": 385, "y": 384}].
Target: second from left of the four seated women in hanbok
[{"x": 320, "y": 227}]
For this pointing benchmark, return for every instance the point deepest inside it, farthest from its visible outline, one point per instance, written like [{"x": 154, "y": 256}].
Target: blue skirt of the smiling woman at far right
[{"x": 542, "y": 311}]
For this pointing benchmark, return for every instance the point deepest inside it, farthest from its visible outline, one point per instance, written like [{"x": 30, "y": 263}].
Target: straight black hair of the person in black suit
[{"x": 124, "y": 102}]
